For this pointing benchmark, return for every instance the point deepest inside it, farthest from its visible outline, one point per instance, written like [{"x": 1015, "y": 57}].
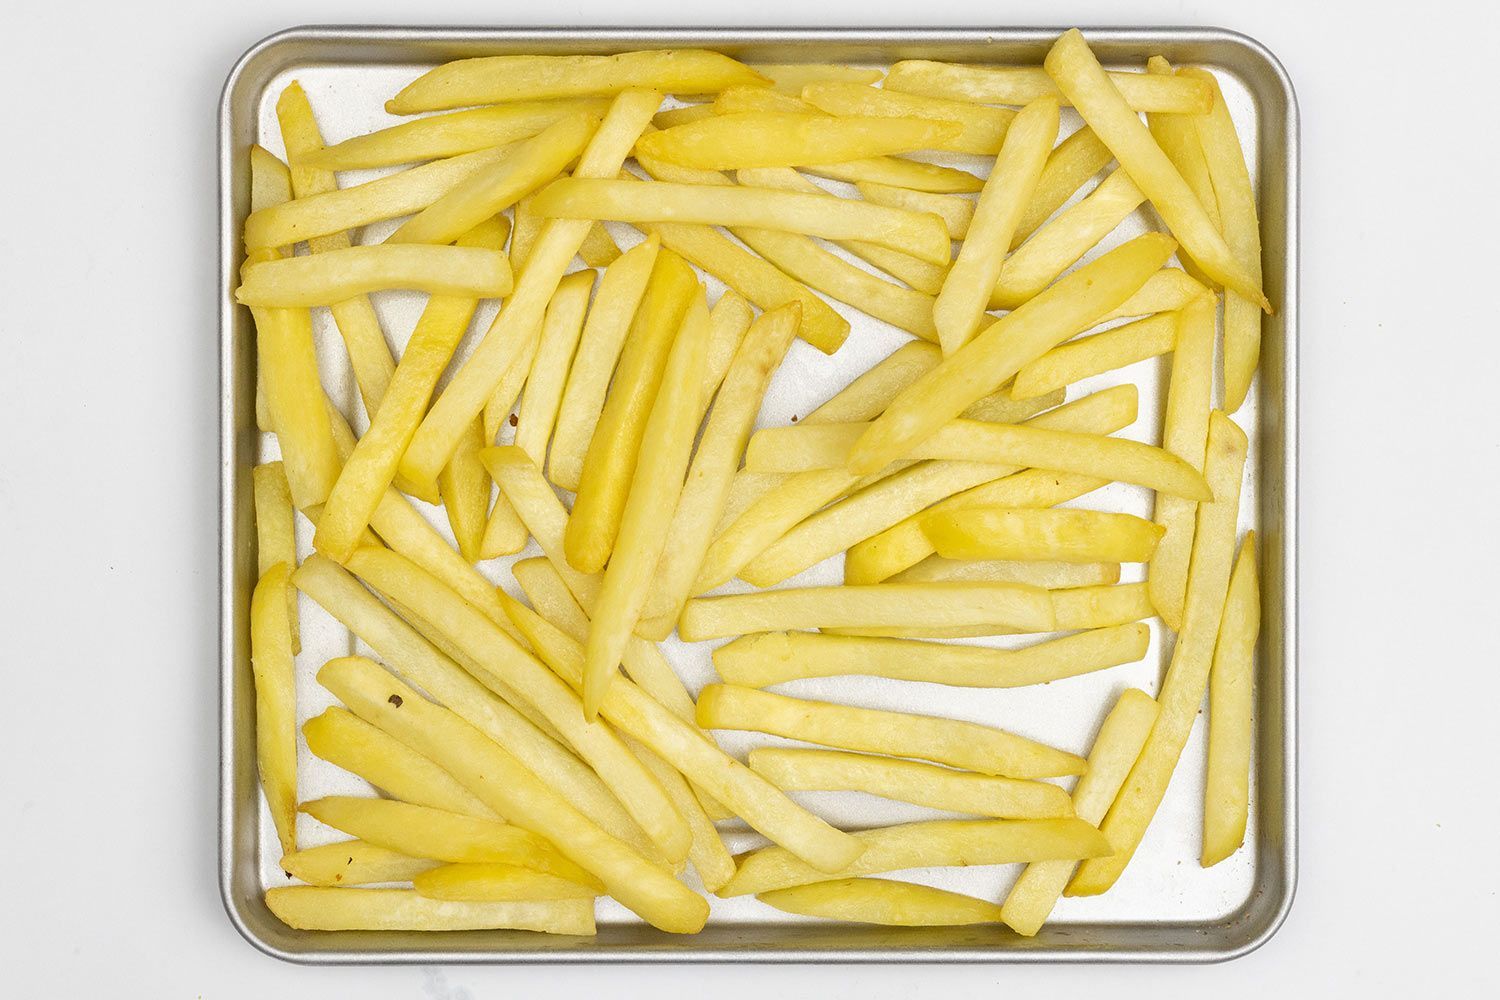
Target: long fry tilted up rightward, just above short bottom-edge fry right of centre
[{"x": 929, "y": 845}]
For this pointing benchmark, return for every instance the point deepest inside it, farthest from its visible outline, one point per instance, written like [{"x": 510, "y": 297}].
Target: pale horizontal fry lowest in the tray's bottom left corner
[{"x": 332, "y": 909}]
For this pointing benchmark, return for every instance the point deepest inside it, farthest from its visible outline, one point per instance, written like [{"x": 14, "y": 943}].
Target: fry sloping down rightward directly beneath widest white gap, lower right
[{"x": 893, "y": 734}]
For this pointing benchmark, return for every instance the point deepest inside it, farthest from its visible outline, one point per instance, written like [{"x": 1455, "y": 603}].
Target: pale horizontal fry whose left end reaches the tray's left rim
[{"x": 341, "y": 275}]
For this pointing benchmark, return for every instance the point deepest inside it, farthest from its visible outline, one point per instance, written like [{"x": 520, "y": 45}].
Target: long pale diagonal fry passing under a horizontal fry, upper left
[{"x": 520, "y": 320}]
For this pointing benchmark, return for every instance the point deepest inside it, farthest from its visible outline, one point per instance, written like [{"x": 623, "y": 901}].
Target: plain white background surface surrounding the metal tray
[{"x": 109, "y": 509}]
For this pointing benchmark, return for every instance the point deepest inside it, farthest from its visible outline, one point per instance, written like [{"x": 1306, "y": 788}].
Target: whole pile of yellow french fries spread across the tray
[{"x": 538, "y": 755}]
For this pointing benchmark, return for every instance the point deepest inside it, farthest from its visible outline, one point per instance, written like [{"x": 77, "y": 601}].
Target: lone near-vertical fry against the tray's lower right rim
[{"x": 1232, "y": 683}]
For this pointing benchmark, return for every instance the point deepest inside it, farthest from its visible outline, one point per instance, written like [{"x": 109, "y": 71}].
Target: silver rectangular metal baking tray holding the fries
[{"x": 1165, "y": 909}]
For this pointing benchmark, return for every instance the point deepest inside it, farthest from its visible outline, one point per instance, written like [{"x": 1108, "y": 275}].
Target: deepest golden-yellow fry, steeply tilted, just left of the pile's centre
[{"x": 613, "y": 452}]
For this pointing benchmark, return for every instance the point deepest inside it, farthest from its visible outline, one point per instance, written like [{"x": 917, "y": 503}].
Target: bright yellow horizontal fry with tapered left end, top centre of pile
[{"x": 778, "y": 139}]
